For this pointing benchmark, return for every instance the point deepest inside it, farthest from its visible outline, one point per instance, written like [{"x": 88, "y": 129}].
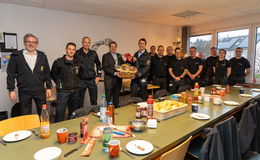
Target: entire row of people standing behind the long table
[{"x": 79, "y": 70}]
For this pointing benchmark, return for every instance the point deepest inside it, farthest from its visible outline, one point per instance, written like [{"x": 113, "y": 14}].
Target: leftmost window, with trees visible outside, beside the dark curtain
[{"x": 203, "y": 43}]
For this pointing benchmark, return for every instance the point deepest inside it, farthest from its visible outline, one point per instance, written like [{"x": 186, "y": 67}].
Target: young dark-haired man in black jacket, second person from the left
[{"x": 65, "y": 73}]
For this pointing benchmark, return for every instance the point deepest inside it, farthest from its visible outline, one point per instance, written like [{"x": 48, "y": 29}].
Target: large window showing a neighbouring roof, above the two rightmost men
[{"x": 230, "y": 40}]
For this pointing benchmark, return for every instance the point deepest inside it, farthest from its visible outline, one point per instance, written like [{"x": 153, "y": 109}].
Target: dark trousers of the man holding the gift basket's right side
[{"x": 142, "y": 84}]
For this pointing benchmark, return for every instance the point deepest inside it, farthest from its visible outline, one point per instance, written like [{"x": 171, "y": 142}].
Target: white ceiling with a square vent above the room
[{"x": 153, "y": 11}]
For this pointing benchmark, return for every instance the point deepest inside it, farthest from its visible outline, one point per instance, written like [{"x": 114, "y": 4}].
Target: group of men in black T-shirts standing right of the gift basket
[{"x": 176, "y": 73}]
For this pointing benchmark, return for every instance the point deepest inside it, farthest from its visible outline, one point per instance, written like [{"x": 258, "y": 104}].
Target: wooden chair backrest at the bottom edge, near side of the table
[{"x": 177, "y": 153}]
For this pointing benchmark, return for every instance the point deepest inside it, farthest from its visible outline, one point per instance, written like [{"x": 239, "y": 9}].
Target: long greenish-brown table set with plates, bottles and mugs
[{"x": 168, "y": 134}]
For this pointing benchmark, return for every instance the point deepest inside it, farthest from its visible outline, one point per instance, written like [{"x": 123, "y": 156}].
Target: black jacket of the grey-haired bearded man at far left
[{"x": 28, "y": 80}]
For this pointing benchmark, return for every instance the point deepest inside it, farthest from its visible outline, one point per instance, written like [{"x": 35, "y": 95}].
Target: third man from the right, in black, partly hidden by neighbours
[{"x": 208, "y": 65}]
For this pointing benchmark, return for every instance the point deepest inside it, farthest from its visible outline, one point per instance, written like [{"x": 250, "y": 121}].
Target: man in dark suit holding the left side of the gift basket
[{"x": 112, "y": 79}]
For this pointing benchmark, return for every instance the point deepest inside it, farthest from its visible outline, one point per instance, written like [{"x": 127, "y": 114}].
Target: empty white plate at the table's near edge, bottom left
[{"x": 49, "y": 153}]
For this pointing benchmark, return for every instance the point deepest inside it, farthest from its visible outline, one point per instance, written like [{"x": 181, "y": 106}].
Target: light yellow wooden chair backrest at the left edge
[{"x": 19, "y": 123}]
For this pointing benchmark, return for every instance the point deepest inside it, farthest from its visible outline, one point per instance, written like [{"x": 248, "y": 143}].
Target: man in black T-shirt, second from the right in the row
[{"x": 221, "y": 69}]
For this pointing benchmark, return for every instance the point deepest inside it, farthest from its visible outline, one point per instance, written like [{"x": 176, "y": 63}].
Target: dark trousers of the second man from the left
[{"x": 72, "y": 99}]
